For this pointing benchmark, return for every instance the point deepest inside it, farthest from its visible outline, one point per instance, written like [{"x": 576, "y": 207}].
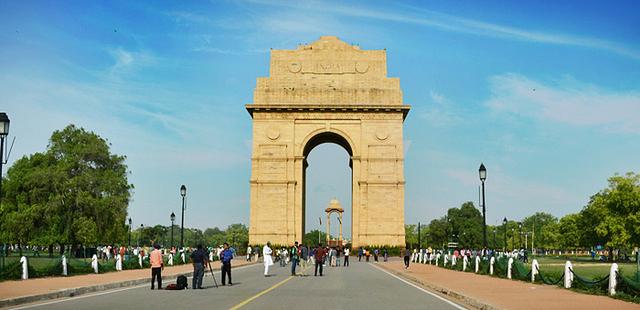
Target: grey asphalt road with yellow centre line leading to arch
[{"x": 361, "y": 286}]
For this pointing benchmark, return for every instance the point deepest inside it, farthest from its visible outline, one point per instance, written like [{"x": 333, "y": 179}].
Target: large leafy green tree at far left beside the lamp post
[{"x": 76, "y": 182}]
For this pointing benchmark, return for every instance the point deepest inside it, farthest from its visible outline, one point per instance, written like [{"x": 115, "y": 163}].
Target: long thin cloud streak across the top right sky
[{"x": 452, "y": 23}]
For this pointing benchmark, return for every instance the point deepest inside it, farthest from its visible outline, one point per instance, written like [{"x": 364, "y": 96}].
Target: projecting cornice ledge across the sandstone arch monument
[{"x": 305, "y": 108}]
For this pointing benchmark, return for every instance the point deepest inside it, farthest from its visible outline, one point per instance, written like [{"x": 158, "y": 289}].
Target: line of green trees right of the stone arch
[{"x": 610, "y": 220}]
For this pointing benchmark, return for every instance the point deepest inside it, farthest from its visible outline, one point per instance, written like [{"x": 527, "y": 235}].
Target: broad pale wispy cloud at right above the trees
[{"x": 566, "y": 101}]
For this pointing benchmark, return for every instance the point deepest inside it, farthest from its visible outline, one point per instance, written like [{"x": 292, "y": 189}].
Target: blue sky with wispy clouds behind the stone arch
[{"x": 547, "y": 95}]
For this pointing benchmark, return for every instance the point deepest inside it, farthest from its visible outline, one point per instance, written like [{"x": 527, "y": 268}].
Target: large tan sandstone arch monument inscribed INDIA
[{"x": 327, "y": 92}]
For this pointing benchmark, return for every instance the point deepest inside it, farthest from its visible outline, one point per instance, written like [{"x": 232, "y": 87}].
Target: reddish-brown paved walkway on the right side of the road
[{"x": 497, "y": 293}]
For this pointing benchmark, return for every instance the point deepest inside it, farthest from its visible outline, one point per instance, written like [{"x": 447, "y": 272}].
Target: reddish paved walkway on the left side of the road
[{"x": 38, "y": 286}]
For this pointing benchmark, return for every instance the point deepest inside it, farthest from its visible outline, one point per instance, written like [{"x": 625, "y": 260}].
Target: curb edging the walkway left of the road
[{"x": 77, "y": 291}]
